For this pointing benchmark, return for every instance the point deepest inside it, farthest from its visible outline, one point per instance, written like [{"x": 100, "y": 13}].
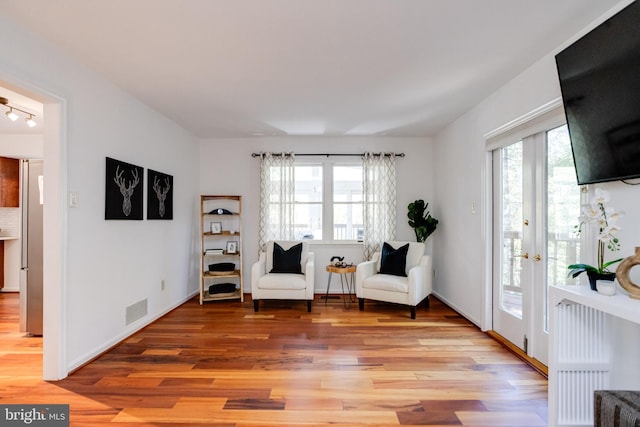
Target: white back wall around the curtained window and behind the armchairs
[{"x": 226, "y": 167}]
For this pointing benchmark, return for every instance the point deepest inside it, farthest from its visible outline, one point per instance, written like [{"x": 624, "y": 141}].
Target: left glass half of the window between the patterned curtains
[{"x": 308, "y": 199}]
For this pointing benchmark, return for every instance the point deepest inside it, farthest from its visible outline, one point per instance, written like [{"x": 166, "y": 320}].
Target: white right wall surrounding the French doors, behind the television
[{"x": 459, "y": 176}]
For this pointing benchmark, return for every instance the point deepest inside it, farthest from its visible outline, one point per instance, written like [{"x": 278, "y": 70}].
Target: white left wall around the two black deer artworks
[{"x": 110, "y": 264}]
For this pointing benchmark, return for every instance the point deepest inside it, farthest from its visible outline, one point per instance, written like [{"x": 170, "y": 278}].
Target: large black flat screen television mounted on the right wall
[{"x": 600, "y": 82}]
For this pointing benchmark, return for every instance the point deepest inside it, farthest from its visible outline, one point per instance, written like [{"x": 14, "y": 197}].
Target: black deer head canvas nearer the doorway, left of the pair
[{"x": 124, "y": 188}]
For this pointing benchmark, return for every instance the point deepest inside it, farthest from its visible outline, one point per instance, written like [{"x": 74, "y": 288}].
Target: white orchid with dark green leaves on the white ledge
[{"x": 604, "y": 218}]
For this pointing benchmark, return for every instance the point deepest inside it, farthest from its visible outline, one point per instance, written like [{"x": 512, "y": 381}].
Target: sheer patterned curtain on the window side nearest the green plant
[{"x": 379, "y": 188}]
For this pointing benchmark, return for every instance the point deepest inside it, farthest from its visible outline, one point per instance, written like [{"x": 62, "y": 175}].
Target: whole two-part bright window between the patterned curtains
[{"x": 328, "y": 201}]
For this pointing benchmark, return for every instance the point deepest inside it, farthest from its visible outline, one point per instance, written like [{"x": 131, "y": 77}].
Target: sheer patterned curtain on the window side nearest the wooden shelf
[{"x": 276, "y": 197}]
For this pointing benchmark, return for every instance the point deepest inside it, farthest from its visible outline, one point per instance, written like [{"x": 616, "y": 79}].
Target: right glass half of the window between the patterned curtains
[{"x": 347, "y": 202}]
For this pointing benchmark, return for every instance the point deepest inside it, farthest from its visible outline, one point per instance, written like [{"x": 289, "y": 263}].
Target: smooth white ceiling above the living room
[{"x": 229, "y": 68}]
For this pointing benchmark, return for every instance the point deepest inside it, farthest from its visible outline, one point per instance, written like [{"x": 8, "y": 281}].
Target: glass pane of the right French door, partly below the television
[{"x": 563, "y": 209}]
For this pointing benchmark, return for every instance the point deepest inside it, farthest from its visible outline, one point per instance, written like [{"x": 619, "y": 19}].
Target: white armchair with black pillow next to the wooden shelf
[{"x": 274, "y": 276}]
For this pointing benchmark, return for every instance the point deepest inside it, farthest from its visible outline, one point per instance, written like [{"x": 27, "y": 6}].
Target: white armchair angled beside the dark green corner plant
[{"x": 410, "y": 290}]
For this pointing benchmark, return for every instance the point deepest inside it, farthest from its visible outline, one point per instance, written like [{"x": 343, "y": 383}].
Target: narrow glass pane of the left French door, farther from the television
[{"x": 512, "y": 229}]
